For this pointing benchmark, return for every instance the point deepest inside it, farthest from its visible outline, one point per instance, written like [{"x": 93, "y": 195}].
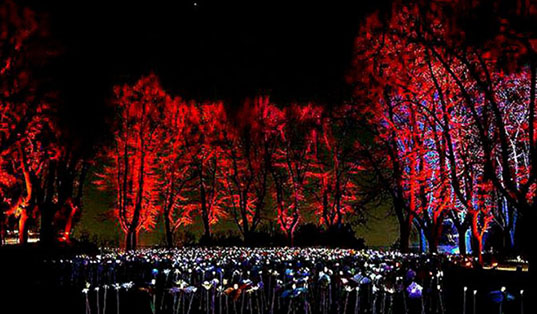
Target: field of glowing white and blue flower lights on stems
[{"x": 278, "y": 280}]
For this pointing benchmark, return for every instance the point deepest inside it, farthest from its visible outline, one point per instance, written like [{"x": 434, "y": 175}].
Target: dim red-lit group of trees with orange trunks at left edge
[{"x": 41, "y": 171}]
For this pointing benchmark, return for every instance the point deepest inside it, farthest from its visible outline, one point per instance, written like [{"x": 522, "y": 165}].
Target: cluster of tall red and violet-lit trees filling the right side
[{"x": 454, "y": 111}]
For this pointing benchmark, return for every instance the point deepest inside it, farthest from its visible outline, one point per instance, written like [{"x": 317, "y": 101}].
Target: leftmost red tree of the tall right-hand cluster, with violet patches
[{"x": 405, "y": 138}]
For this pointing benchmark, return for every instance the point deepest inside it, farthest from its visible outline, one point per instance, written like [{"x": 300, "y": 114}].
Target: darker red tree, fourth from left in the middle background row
[{"x": 248, "y": 149}]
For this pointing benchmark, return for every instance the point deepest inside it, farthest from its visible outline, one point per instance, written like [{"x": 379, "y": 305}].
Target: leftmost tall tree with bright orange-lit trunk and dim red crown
[{"x": 26, "y": 115}]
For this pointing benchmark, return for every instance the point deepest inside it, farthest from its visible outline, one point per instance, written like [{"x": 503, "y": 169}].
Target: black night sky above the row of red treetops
[{"x": 207, "y": 49}]
